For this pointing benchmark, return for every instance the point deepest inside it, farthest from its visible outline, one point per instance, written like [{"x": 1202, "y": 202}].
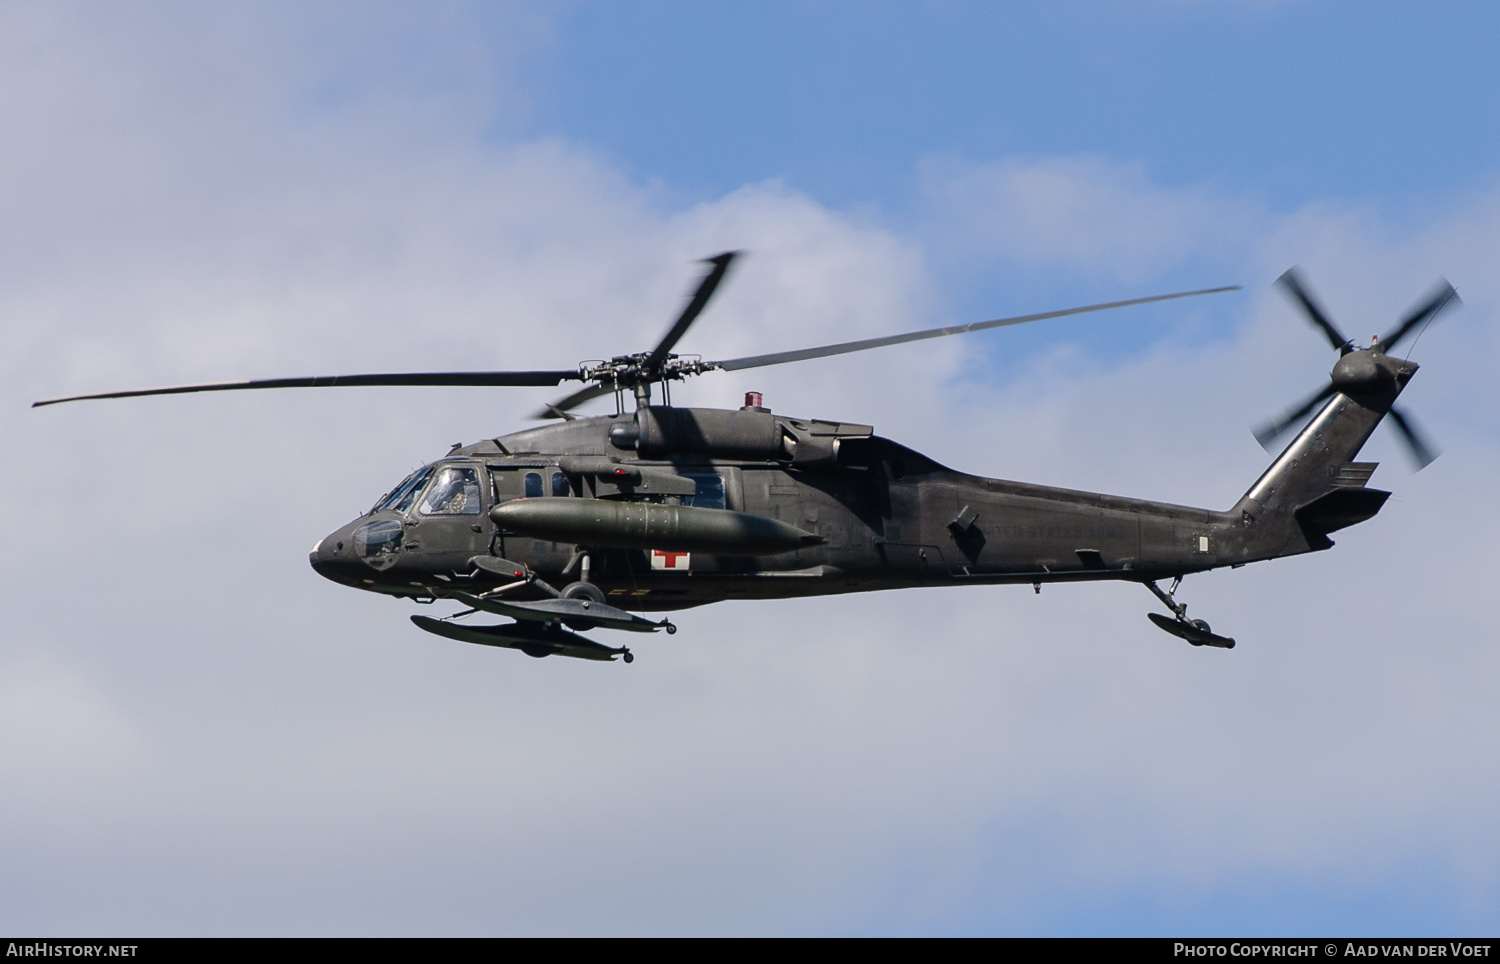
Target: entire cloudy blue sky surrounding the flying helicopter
[{"x": 208, "y": 738}]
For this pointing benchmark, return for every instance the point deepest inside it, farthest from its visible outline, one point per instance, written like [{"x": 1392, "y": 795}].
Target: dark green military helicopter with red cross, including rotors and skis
[{"x": 590, "y": 524}]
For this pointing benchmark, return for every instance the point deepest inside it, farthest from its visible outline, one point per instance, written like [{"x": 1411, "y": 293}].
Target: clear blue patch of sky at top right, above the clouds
[{"x": 1286, "y": 101}]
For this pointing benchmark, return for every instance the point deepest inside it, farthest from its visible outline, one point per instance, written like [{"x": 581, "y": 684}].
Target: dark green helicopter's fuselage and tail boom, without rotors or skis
[{"x": 872, "y": 515}]
